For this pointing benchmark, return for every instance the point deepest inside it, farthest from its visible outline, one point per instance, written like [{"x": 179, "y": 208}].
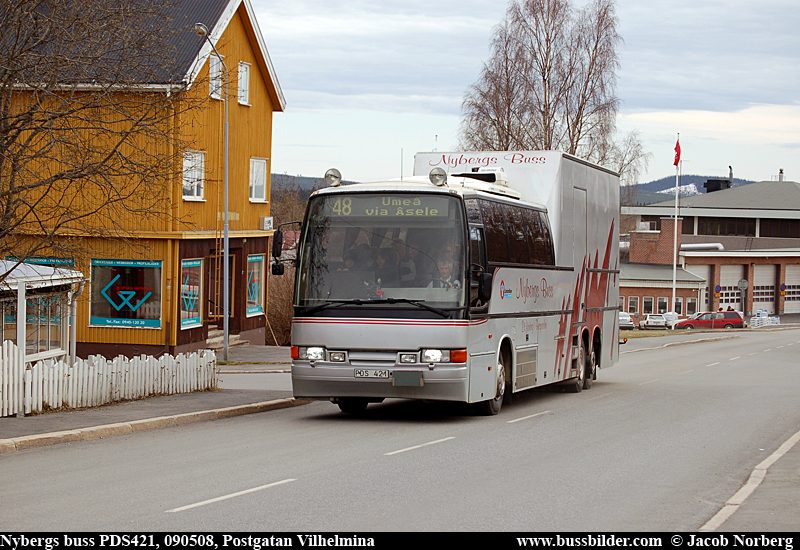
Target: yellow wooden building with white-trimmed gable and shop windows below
[{"x": 160, "y": 289}]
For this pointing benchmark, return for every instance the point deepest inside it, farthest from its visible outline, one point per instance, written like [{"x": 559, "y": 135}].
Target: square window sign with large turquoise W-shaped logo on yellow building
[{"x": 126, "y": 293}]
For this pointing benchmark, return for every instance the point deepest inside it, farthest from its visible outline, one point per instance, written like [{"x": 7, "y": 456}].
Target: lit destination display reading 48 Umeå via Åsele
[{"x": 390, "y": 206}]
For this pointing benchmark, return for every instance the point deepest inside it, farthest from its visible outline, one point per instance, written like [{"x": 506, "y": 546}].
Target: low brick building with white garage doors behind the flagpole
[{"x": 744, "y": 242}]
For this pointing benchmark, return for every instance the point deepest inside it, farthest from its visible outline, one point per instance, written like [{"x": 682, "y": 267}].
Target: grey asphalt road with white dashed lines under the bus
[{"x": 658, "y": 444}]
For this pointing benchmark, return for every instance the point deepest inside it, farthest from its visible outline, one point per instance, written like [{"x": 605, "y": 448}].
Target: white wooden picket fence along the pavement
[{"x": 97, "y": 380}]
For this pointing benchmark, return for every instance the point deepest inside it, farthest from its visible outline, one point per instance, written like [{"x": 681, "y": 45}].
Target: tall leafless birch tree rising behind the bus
[{"x": 550, "y": 84}]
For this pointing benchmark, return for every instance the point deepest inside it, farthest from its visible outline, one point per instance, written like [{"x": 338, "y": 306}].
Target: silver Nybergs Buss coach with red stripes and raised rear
[{"x": 483, "y": 275}]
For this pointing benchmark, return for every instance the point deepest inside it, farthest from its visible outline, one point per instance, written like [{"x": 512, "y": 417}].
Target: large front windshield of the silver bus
[{"x": 394, "y": 250}]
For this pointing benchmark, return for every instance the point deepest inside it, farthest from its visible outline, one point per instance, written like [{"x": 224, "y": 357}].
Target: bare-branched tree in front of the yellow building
[{"x": 90, "y": 95}]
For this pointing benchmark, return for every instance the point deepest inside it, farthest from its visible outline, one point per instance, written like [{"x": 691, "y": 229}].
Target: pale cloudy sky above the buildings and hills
[{"x": 370, "y": 83}]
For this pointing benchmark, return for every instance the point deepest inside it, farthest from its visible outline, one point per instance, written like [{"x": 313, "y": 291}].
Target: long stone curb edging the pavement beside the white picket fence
[{"x": 36, "y": 441}]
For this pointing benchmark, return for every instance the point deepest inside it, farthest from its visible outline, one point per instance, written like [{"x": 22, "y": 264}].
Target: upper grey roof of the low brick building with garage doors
[{"x": 774, "y": 198}]
